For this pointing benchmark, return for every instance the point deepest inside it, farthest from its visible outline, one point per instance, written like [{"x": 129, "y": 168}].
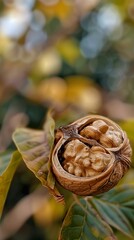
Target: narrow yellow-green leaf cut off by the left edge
[{"x": 8, "y": 165}]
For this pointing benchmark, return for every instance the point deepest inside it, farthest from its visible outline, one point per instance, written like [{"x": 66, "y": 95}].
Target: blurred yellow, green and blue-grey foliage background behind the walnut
[{"x": 76, "y": 57}]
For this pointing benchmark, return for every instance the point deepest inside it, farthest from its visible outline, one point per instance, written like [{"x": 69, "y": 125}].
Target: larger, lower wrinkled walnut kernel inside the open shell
[{"x": 82, "y": 160}]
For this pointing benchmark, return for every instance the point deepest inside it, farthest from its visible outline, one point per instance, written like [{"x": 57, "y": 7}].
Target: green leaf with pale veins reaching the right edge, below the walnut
[{"x": 116, "y": 207}]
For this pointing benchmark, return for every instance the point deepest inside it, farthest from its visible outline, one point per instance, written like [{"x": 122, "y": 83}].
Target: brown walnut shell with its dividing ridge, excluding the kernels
[{"x": 106, "y": 180}]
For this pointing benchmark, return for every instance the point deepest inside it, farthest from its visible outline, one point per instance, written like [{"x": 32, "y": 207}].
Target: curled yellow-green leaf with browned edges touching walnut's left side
[{"x": 35, "y": 150}]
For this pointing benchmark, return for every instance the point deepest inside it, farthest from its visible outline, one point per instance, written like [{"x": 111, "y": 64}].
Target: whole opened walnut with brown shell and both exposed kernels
[{"x": 90, "y": 155}]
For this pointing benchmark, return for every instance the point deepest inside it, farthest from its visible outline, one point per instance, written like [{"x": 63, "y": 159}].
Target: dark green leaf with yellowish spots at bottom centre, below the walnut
[{"x": 82, "y": 222}]
